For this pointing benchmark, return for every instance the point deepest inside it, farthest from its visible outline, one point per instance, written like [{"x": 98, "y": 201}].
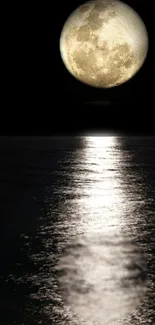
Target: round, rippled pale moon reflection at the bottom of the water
[{"x": 101, "y": 278}]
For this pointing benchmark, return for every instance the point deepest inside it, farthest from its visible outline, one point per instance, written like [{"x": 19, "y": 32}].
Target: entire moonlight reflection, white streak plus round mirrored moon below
[{"x": 102, "y": 276}]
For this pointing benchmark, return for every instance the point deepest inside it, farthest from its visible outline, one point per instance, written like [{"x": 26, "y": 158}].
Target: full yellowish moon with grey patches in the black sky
[{"x": 103, "y": 43}]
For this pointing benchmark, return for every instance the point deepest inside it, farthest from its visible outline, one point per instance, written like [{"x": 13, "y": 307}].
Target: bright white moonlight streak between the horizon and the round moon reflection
[{"x": 101, "y": 205}]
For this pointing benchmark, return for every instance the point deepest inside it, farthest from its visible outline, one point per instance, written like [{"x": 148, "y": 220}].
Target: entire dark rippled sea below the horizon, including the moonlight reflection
[{"x": 77, "y": 231}]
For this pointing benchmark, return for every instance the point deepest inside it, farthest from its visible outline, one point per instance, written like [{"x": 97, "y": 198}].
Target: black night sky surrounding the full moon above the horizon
[{"x": 46, "y": 99}]
